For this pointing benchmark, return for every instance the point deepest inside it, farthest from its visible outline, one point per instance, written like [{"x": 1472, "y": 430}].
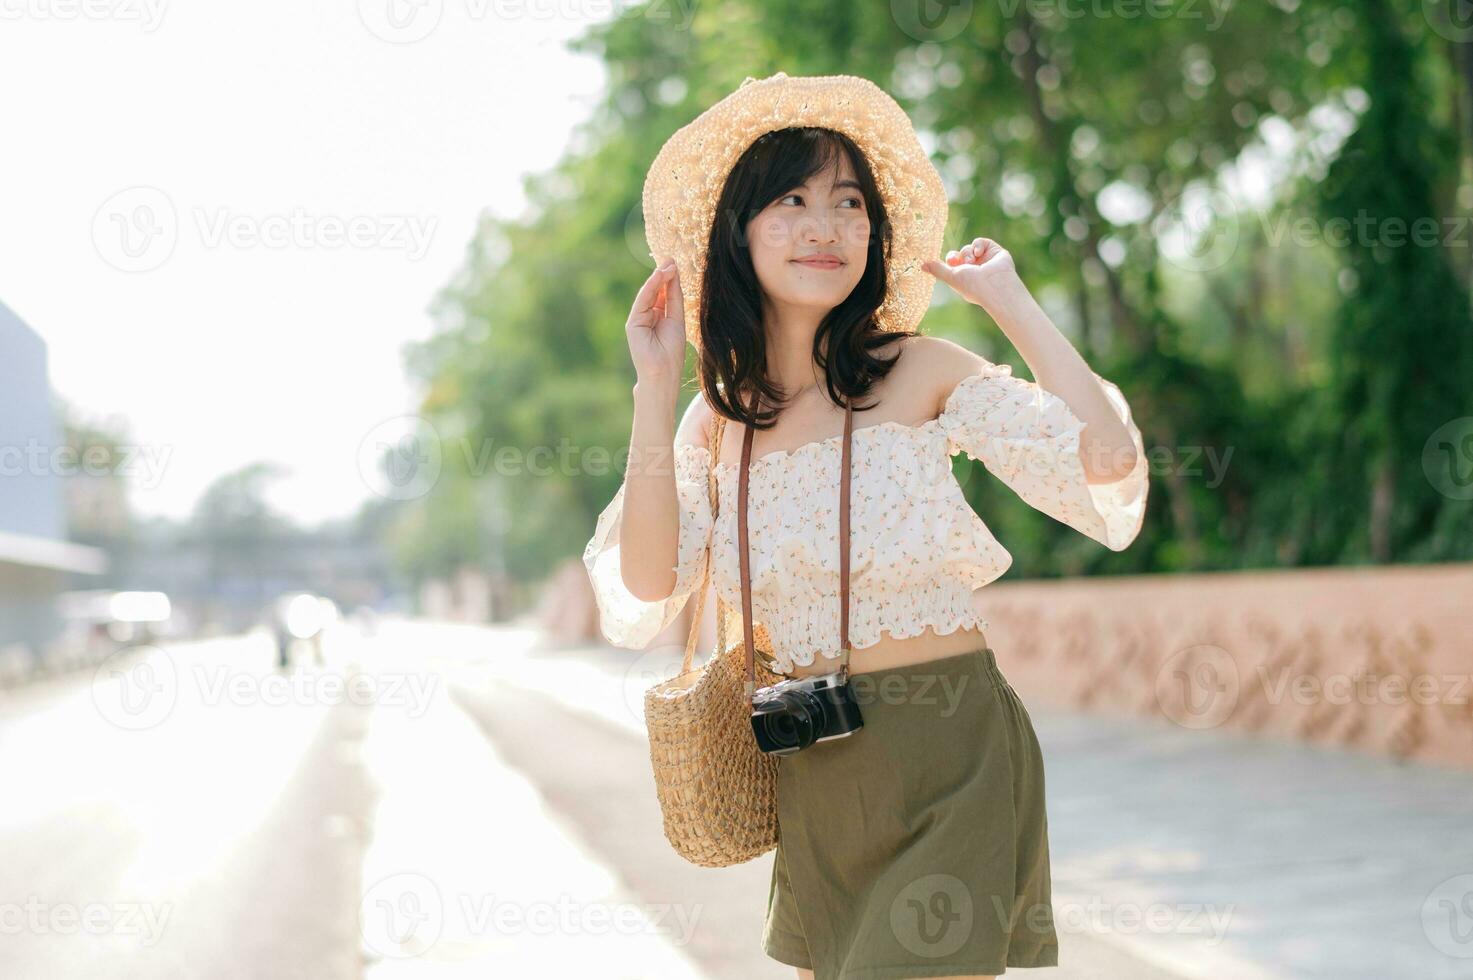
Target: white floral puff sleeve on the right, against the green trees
[{"x": 1029, "y": 438}]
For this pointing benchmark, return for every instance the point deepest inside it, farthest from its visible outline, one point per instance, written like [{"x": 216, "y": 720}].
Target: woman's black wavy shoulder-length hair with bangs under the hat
[{"x": 734, "y": 347}]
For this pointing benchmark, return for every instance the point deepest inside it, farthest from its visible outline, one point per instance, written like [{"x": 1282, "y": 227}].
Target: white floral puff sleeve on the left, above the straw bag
[{"x": 625, "y": 620}]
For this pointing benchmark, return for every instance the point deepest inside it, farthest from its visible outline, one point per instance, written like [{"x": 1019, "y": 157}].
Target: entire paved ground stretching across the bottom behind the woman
[{"x": 451, "y": 802}]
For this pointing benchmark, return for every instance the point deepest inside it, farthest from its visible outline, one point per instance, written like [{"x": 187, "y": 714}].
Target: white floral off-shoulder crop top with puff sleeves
[{"x": 918, "y": 550}]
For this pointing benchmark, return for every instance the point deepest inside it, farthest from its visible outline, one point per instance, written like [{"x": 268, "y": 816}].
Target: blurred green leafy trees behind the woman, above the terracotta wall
[{"x": 1284, "y": 409}]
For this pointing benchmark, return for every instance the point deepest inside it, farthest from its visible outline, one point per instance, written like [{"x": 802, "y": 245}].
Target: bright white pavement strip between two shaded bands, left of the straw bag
[{"x": 471, "y": 875}]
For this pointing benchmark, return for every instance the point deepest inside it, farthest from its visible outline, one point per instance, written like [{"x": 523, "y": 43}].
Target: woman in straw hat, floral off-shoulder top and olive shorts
[{"x": 806, "y": 220}]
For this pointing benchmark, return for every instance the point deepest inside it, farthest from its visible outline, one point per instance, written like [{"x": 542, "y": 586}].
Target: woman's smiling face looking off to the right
[{"x": 809, "y": 247}]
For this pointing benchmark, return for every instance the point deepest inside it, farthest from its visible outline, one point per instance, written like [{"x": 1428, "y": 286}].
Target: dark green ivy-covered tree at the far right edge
[{"x": 1403, "y": 347}]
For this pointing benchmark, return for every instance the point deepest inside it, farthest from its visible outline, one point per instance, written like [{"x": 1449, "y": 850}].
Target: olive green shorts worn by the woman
[{"x": 917, "y": 847}]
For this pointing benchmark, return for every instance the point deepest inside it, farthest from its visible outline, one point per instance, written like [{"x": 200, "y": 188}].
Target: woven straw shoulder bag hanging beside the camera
[{"x": 718, "y": 791}]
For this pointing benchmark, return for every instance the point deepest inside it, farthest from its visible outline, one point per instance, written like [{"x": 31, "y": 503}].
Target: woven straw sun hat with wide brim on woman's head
[{"x": 690, "y": 172}]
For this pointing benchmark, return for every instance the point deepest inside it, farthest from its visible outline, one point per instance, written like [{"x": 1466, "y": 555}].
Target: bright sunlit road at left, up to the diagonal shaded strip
[{"x": 192, "y": 813}]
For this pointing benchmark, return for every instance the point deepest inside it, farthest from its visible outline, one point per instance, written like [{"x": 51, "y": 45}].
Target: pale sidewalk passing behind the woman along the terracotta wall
[{"x": 1197, "y": 854}]
